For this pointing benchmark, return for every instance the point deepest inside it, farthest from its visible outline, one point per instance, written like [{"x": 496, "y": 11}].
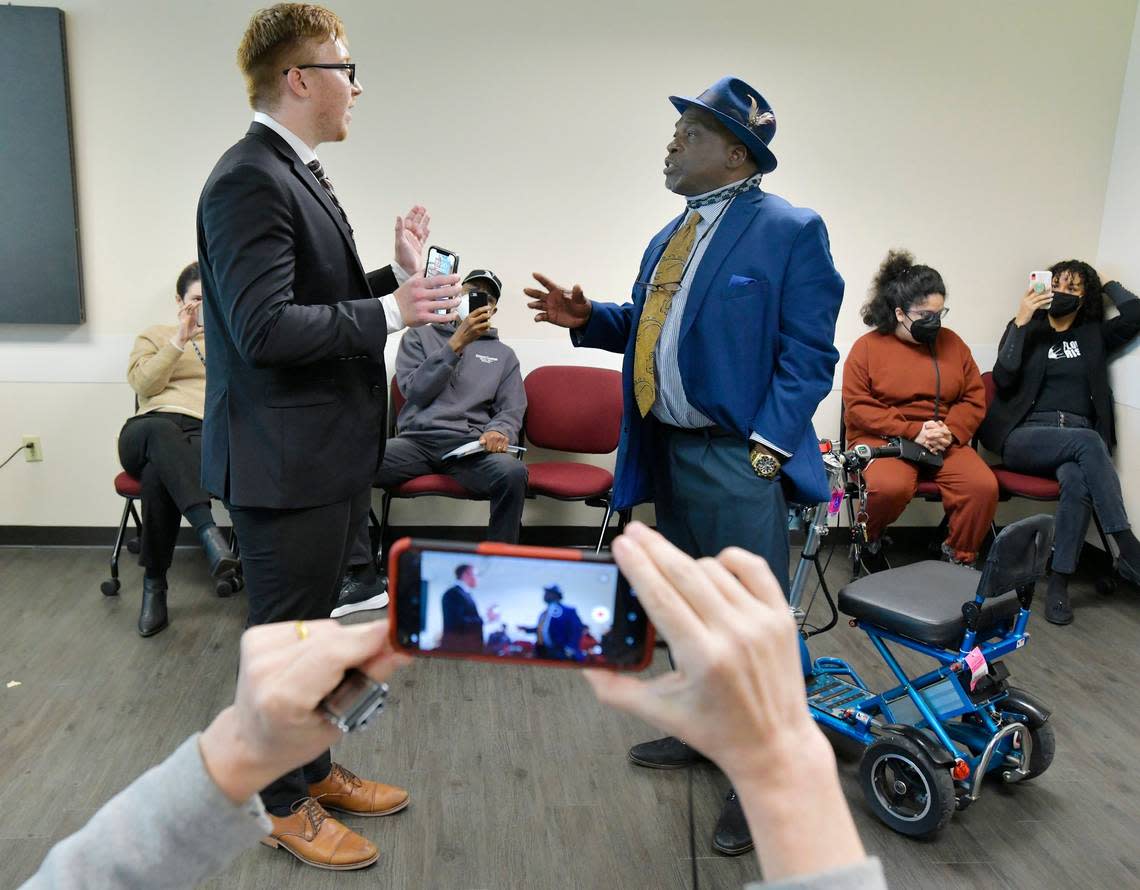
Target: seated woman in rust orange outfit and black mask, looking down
[{"x": 914, "y": 379}]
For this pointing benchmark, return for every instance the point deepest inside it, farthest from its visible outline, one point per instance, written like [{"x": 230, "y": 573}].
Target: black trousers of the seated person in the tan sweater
[{"x": 165, "y": 453}]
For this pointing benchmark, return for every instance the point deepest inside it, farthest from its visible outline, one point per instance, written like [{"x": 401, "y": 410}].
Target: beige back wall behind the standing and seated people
[{"x": 980, "y": 135}]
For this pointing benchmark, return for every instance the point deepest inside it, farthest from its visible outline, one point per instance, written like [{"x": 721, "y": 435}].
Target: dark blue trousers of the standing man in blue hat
[{"x": 709, "y": 497}]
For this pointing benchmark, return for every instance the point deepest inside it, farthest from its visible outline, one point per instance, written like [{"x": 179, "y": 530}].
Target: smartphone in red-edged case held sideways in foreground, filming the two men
[{"x": 509, "y": 603}]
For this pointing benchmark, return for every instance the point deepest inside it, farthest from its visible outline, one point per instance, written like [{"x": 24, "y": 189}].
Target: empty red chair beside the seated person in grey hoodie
[{"x": 575, "y": 410}]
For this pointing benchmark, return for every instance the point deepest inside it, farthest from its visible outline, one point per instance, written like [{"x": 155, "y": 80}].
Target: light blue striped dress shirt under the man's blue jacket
[{"x": 673, "y": 406}]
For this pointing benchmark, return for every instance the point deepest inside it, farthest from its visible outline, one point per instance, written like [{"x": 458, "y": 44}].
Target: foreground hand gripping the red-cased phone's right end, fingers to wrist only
[{"x": 738, "y": 687}]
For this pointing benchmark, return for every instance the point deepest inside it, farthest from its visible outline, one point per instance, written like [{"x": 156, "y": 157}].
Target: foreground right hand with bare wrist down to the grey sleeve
[{"x": 738, "y": 696}]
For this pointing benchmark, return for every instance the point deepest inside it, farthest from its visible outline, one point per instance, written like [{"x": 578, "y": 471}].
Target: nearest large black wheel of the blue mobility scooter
[{"x": 905, "y": 788}]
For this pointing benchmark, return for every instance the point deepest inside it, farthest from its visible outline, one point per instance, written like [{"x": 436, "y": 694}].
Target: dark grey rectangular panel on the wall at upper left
[{"x": 40, "y": 281}]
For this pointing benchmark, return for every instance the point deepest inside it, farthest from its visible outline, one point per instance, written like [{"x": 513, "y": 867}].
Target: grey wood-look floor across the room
[{"x": 519, "y": 779}]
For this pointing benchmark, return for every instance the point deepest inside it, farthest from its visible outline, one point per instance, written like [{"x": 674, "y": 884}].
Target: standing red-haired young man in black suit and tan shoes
[{"x": 296, "y": 382}]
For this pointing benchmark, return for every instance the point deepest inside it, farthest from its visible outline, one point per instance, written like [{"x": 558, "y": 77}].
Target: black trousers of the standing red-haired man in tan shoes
[{"x": 292, "y": 561}]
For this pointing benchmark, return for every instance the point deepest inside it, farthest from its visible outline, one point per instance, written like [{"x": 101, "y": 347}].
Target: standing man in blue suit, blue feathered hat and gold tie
[{"x": 729, "y": 350}]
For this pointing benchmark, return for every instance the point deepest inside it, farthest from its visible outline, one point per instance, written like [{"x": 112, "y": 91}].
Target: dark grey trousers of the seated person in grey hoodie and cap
[{"x": 501, "y": 477}]
